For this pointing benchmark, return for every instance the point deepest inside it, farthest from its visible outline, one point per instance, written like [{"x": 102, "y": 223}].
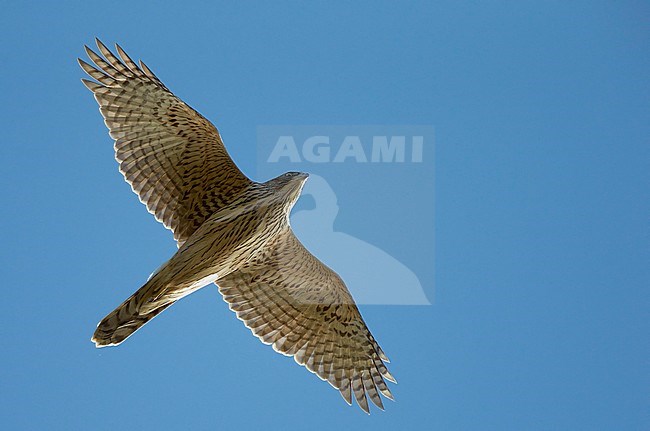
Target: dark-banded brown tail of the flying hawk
[{"x": 123, "y": 321}]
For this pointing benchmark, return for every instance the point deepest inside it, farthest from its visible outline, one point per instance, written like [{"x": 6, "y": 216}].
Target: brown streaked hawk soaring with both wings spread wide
[{"x": 231, "y": 231}]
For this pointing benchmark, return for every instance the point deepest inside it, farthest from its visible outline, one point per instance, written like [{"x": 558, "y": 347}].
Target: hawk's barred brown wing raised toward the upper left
[{"x": 173, "y": 158}]
